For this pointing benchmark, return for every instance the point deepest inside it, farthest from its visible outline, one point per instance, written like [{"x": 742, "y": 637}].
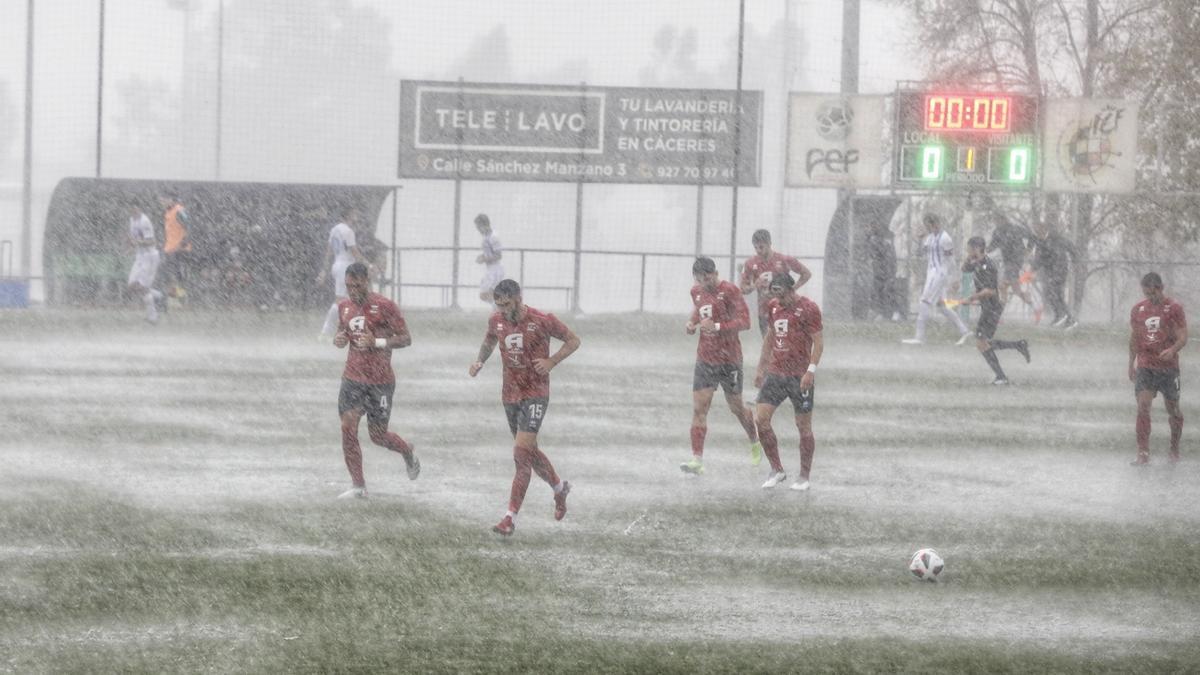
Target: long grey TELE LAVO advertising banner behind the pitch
[{"x": 475, "y": 132}]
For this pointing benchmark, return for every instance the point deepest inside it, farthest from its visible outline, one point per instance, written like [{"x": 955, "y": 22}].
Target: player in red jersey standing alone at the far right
[{"x": 1159, "y": 332}]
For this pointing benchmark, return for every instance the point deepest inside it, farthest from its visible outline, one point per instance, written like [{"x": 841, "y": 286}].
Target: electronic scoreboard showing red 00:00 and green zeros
[{"x": 950, "y": 140}]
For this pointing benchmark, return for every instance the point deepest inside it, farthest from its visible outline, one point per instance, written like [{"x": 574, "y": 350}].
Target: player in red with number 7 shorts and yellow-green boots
[{"x": 721, "y": 314}]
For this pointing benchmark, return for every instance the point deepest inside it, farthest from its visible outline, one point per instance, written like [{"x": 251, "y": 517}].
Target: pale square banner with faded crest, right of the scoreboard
[{"x": 1091, "y": 146}]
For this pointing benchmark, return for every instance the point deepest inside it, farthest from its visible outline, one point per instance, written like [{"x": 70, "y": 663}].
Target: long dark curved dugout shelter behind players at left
[{"x": 255, "y": 244}]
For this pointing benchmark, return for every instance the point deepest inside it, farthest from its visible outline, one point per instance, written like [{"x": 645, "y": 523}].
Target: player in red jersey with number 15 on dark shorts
[{"x": 524, "y": 336}]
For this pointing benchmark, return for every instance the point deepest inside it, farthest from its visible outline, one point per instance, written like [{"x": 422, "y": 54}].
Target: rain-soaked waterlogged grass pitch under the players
[{"x": 167, "y": 505}]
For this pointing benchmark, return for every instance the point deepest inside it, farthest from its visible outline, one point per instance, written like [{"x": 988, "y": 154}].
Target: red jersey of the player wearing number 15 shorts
[{"x": 521, "y": 344}]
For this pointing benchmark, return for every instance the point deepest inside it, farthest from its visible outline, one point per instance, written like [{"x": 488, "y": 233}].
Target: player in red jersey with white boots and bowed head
[{"x": 788, "y": 369}]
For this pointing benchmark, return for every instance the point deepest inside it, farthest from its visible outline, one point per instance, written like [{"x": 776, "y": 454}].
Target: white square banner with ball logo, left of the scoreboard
[{"x": 835, "y": 141}]
